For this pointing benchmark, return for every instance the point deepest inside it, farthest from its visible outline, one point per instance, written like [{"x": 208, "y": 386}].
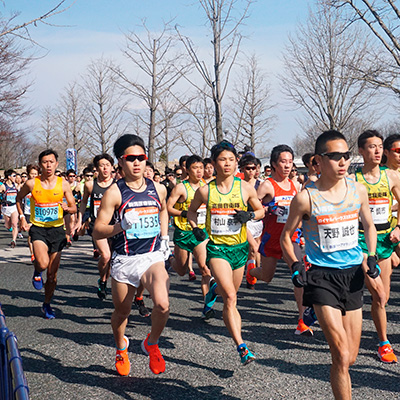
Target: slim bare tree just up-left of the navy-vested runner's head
[{"x": 105, "y": 105}]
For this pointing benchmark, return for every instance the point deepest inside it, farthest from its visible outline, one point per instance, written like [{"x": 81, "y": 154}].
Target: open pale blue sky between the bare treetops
[{"x": 89, "y": 29}]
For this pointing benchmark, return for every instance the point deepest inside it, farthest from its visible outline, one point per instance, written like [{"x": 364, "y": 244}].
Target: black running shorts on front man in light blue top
[{"x": 338, "y": 288}]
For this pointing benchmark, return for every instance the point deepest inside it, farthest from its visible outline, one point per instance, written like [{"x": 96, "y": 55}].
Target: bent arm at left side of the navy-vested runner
[{"x": 109, "y": 203}]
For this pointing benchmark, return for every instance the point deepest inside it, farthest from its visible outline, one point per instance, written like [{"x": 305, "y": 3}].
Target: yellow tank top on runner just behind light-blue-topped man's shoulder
[{"x": 380, "y": 201}]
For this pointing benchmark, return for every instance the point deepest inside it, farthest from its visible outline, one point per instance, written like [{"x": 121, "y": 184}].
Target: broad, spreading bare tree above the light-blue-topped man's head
[{"x": 319, "y": 71}]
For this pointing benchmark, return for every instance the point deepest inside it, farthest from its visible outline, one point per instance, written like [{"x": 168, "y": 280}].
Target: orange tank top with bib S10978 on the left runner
[{"x": 46, "y": 210}]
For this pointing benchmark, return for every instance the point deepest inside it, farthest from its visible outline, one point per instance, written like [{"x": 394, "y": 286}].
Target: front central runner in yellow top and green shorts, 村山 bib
[{"x": 226, "y": 198}]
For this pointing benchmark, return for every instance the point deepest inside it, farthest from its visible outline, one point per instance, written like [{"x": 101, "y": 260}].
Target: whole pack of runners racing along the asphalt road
[{"x": 229, "y": 220}]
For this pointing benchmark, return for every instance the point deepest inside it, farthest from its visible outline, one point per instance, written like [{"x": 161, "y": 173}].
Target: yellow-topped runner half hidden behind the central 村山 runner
[{"x": 184, "y": 239}]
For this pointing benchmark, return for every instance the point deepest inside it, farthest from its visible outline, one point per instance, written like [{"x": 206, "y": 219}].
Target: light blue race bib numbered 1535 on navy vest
[{"x": 147, "y": 224}]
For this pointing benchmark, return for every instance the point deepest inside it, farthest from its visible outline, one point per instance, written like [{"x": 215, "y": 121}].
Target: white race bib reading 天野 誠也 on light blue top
[{"x": 338, "y": 231}]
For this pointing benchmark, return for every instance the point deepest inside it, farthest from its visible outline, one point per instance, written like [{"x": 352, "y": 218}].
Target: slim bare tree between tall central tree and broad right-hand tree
[{"x": 251, "y": 107}]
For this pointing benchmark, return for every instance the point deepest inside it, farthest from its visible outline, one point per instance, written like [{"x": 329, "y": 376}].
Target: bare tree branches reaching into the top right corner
[{"x": 382, "y": 17}]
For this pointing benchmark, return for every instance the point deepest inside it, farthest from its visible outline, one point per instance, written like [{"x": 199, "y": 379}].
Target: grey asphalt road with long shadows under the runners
[{"x": 72, "y": 357}]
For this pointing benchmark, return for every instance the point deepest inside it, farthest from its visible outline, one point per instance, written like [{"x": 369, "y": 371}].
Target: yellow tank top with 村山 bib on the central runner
[{"x": 220, "y": 224}]
